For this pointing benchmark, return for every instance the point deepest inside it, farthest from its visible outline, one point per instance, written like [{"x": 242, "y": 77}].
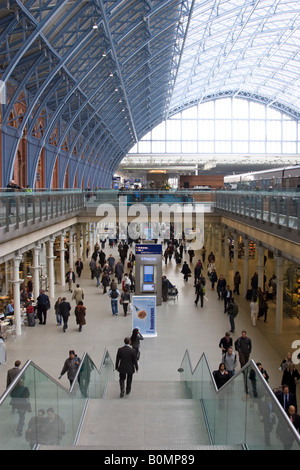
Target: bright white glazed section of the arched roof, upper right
[{"x": 241, "y": 48}]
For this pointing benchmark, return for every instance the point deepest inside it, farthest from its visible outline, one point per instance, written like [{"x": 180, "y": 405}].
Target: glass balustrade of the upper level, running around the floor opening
[{"x": 21, "y": 209}]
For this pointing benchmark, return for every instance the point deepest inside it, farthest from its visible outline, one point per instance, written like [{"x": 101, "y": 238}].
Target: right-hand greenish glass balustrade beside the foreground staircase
[{"x": 244, "y": 411}]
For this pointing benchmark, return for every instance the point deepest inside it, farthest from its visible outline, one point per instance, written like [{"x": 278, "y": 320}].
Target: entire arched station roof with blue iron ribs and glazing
[{"x": 94, "y": 76}]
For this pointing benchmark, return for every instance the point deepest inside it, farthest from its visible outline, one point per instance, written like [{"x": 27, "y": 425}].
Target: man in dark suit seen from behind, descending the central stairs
[{"x": 126, "y": 365}]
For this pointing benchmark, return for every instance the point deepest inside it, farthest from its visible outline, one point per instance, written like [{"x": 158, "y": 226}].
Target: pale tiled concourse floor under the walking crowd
[{"x": 180, "y": 326}]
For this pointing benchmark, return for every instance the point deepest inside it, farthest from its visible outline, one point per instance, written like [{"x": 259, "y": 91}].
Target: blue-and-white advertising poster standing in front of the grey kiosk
[{"x": 143, "y": 314}]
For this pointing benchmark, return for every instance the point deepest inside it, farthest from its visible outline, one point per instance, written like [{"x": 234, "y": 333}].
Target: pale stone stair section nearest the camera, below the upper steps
[{"x": 143, "y": 423}]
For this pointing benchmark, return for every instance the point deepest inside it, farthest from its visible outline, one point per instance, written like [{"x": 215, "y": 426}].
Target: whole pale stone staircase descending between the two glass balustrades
[{"x": 156, "y": 415}]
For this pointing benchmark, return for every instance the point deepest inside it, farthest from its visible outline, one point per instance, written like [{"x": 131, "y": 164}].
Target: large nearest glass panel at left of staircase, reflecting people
[{"x": 37, "y": 410}]
